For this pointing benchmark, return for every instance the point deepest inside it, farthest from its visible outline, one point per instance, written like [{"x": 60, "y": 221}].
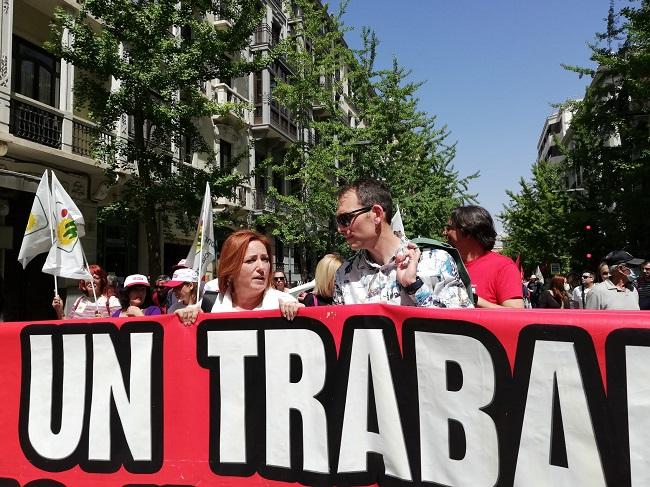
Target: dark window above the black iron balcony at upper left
[{"x": 35, "y": 73}]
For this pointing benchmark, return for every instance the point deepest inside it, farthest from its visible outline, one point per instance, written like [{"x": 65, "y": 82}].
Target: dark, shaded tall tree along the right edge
[{"x": 610, "y": 143}]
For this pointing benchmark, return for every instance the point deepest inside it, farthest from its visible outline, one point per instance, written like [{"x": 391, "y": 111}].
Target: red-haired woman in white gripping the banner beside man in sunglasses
[{"x": 244, "y": 275}]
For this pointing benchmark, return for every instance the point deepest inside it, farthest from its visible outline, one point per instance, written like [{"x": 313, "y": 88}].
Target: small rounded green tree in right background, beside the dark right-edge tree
[{"x": 537, "y": 217}]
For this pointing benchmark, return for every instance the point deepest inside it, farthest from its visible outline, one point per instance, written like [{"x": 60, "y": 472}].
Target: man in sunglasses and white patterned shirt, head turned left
[{"x": 387, "y": 268}]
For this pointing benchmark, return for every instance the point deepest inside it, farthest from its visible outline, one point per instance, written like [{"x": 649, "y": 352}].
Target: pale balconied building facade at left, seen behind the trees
[{"x": 40, "y": 128}]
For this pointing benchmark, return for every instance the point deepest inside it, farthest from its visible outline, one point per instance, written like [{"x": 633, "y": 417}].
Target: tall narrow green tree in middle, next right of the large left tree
[{"x": 314, "y": 54}]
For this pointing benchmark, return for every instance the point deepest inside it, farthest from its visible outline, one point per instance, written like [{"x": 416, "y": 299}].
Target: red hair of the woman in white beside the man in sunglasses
[{"x": 232, "y": 256}]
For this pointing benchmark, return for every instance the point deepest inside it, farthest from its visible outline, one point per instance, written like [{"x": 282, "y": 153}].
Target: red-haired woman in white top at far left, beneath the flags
[{"x": 84, "y": 306}]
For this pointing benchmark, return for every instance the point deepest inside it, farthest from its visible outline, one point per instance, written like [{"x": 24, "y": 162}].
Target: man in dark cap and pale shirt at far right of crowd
[{"x": 617, "y": 292}]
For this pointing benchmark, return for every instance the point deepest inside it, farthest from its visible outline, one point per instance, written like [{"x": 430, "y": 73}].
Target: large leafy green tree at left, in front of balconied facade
[{"x": 162, "y": 53}]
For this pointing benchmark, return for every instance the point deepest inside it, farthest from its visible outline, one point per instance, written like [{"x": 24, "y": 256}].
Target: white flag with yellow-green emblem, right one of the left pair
[{"x": 66, "y": 257}]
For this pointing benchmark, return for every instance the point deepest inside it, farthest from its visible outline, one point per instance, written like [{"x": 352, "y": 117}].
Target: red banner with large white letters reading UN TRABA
[{"x": 342, "y": 395}]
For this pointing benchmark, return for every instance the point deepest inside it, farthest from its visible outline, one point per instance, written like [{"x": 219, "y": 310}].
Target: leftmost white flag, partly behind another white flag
[{"x": 38, "y": 236}]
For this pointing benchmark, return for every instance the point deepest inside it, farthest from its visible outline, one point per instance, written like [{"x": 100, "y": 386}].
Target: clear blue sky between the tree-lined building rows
[{"x": 491, "y": 71}]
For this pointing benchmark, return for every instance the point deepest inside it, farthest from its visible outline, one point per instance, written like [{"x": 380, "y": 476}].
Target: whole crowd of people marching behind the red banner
[{"x": 386, "y": 268}]
